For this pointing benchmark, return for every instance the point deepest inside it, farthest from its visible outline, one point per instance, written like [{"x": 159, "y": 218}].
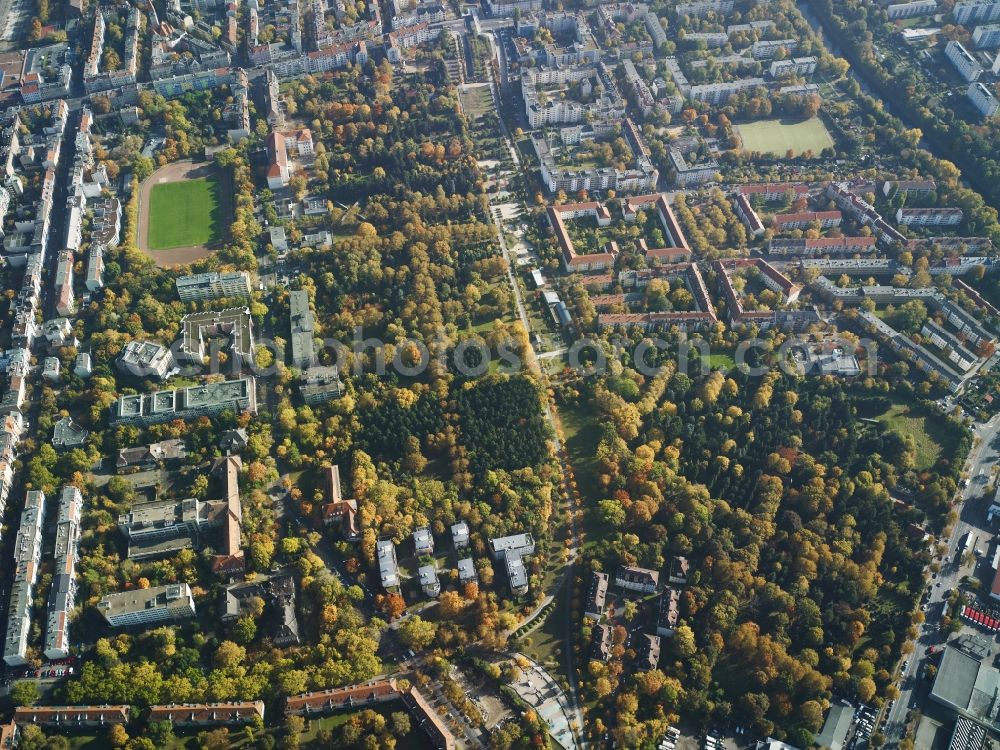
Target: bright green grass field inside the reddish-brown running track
[{"x": 184, "y": 214}]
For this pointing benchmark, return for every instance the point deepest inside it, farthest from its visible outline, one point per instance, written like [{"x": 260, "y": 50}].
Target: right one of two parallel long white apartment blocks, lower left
[{"x": 62, "y": 595}]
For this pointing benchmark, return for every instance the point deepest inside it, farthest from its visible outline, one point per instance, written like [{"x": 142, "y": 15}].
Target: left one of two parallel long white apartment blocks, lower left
[{"x": 27, "y": 558}]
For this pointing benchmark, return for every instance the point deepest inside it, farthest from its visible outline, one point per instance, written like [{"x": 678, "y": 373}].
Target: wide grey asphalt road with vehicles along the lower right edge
[{"x": 984, "y": 455}]
